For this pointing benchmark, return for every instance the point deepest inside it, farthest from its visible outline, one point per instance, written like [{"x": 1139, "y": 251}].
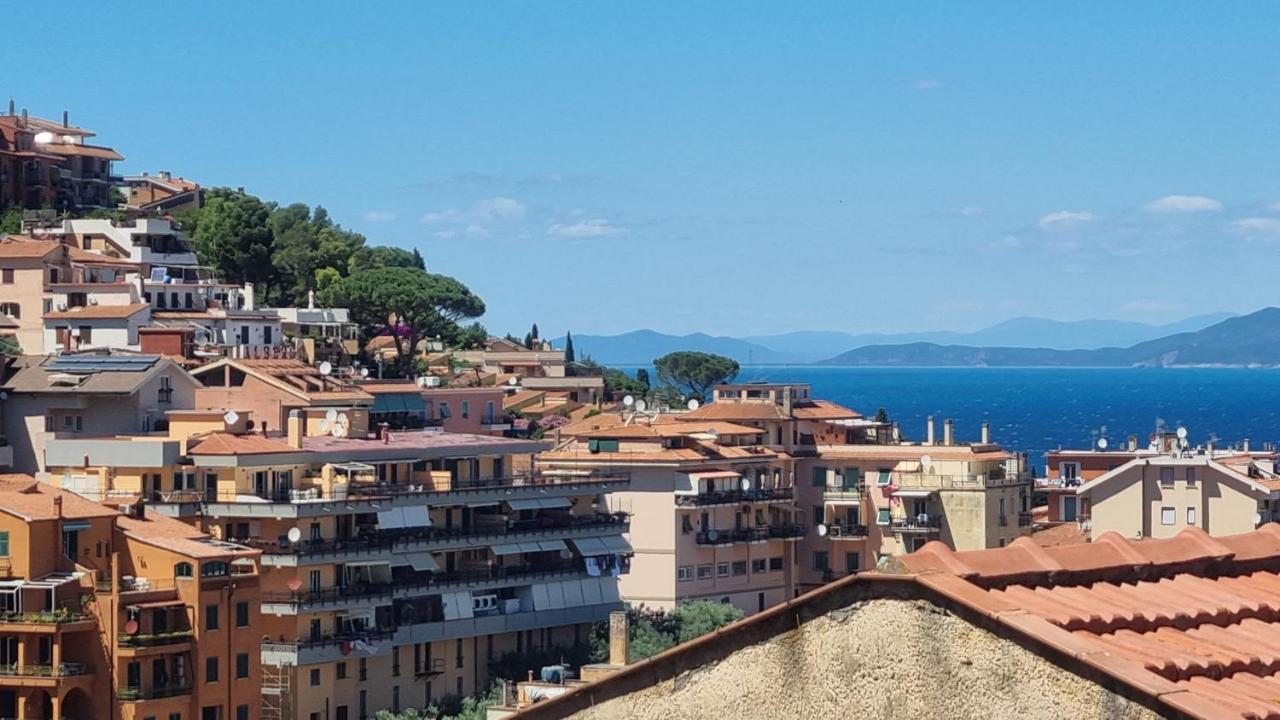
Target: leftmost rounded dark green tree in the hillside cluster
[{"x": 234, "y": 235}]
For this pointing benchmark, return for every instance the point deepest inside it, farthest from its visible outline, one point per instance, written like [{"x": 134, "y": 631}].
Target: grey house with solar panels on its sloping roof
[{"x": 90, "y": 395}]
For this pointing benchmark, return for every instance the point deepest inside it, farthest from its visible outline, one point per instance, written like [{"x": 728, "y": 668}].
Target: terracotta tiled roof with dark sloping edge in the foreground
[{"x": 1188, "y": 627}]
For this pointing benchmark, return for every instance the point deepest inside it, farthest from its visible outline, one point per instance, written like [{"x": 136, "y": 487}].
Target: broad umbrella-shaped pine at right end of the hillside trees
[{"x": 415, "y": 304}]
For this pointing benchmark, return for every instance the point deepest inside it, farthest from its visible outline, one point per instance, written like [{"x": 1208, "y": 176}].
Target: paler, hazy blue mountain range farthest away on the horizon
[{"x": 812, "y": 347}]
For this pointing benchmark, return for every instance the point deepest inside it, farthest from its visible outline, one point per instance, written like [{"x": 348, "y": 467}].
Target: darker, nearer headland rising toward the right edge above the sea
[{"x": 1249, "y": 340}]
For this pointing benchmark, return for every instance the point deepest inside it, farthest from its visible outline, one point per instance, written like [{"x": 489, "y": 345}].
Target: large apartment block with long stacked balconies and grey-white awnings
[{"x": 397, "y": 567}]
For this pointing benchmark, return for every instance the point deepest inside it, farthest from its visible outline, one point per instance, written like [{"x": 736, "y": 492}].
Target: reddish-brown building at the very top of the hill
[{"x": 49, "y": 165}]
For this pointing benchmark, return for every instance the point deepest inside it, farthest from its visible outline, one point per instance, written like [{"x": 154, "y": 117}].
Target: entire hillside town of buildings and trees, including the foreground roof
[{"x": 228, "y": 494}]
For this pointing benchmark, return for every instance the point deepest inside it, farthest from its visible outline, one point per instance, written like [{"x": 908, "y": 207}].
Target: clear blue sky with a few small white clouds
[{"x": 732, "y": 168}]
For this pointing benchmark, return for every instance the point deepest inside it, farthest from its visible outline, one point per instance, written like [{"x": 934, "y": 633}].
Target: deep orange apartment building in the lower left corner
[{"x": 130, "y": 616}]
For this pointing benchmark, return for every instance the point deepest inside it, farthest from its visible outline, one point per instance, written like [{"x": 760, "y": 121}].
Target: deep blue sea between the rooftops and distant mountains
[{"x": 1035, "y": 411}]
